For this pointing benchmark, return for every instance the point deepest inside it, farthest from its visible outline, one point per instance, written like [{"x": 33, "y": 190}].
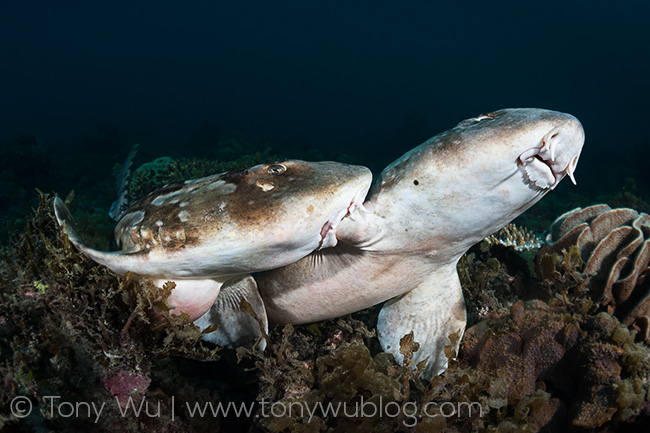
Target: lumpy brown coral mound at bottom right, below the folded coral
[{"x": 539, "y": 347}]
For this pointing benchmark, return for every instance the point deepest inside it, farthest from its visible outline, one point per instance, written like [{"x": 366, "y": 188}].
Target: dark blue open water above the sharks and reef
[{"x": 370, "y": 80}]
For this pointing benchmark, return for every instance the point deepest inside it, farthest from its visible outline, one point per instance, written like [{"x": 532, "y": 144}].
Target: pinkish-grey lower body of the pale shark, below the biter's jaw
[{"x": 296, "y": 294}]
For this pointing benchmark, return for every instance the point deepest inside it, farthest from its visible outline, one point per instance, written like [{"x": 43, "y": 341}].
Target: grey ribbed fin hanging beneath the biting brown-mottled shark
[{"x": 240, "y": 314}]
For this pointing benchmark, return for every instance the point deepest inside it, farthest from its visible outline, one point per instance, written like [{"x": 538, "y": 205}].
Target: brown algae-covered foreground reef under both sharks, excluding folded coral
[{"x": 69, "y": 328}]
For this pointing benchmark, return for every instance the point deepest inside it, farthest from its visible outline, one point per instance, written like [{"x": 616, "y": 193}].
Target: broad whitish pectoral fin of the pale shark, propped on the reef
[{"x": 433, "y": 311}]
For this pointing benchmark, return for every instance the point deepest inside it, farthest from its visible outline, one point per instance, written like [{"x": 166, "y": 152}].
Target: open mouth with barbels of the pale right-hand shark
[{"x": 546, "y": 165}]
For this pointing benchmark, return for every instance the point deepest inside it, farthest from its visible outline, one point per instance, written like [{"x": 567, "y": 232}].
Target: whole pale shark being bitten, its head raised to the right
[{"x": 425, "y": 210}]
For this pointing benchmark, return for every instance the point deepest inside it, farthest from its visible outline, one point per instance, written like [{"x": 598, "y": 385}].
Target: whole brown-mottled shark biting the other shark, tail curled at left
[{"x": 207, "y": 235}]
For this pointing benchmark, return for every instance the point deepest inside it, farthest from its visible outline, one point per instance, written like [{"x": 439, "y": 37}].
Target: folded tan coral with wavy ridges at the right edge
[{"x": 615, "y": 247}]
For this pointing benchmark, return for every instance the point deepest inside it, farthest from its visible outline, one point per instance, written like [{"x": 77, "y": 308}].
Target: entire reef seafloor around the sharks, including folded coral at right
[{"x": 557, "y": 337}]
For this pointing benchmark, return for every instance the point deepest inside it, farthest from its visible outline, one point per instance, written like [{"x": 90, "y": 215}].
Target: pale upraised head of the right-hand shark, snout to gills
[{"x": 468, "y": 182}]
